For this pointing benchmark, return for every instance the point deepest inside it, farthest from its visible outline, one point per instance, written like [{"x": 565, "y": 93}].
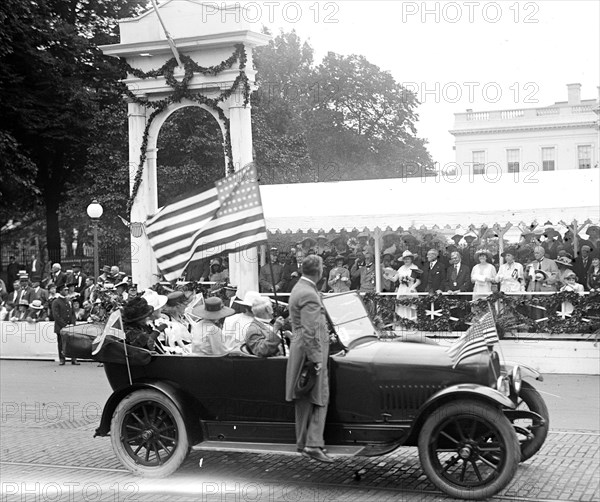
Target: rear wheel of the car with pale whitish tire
[{"x": 148, "y": 434}]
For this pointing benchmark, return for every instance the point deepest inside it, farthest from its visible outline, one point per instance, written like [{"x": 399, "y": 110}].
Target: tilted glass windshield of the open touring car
[{"x": 349, "y": 317}]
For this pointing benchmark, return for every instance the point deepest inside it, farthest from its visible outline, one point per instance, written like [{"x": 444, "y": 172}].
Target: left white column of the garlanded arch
[{"x": 143, "y": 262}]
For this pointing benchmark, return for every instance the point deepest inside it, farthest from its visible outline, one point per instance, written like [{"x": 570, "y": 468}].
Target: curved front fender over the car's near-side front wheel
[{"x": 464, "y": 390}]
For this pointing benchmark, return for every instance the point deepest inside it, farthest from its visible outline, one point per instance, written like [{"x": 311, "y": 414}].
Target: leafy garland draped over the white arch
[{"x": 181, "y": 91}]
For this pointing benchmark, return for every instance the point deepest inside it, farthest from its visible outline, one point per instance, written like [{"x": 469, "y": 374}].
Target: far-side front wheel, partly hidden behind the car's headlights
[{"x": 531, "y": 432}]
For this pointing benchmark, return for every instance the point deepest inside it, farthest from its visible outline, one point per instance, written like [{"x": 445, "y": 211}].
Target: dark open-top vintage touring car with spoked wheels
[{"x": 472, "y": 424}]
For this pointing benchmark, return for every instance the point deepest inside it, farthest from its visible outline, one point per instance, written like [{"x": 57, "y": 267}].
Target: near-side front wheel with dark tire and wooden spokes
[{"x": 469, "y": 449}]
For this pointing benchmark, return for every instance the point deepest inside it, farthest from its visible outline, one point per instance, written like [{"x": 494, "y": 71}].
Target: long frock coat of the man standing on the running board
[{"x": 310, "y": 340}]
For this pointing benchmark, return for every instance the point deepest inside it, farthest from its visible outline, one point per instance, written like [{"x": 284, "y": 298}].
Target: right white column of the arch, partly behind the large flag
[{"x": 243, "y": 266}]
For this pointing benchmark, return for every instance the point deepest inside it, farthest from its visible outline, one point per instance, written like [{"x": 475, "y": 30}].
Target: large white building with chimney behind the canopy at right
[{"x": 561, "y": 136}]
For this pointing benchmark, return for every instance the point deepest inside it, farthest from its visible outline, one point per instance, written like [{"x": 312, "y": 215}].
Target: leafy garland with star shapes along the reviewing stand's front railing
[{"x": 514, "y": 313}]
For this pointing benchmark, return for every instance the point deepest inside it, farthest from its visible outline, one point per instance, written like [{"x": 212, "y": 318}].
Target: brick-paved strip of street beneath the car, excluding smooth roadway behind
[{"x": 58, "y": 459}]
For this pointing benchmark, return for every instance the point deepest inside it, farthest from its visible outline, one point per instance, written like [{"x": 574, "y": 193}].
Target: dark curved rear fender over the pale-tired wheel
[{"x": 182, "y": 402}]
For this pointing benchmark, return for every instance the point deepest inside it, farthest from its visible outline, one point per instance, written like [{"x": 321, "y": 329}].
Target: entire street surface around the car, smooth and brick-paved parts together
[{"x": 49, "y": 414}]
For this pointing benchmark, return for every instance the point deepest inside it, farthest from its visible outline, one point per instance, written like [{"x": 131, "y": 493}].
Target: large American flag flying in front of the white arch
[{"x": 226, "y": 216}]
